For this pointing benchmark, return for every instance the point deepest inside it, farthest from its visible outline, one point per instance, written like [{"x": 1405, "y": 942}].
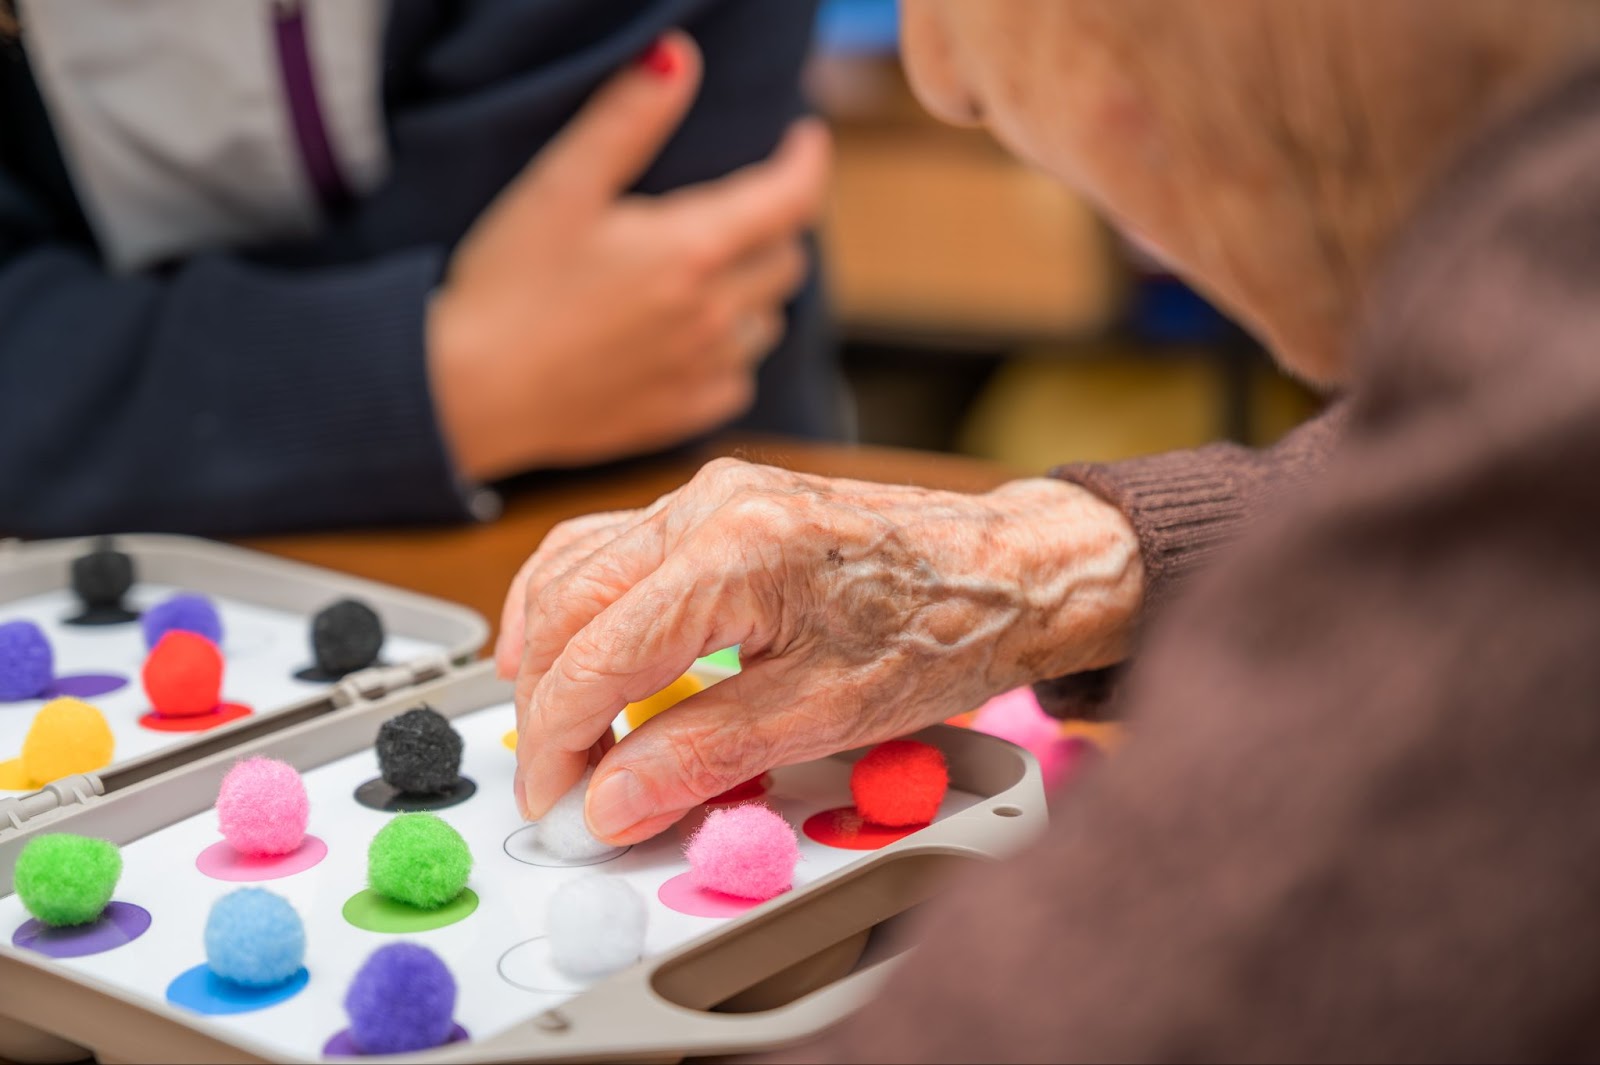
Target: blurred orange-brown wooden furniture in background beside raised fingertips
[{"x": 937, "y": 234}]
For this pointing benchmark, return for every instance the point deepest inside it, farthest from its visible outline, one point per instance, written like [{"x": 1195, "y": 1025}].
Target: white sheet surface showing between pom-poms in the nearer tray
[{"x": 495, "y": 954}]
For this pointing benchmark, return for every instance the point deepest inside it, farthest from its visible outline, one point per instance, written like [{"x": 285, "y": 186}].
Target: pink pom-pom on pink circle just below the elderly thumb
[{"x": 745, "y": 852}]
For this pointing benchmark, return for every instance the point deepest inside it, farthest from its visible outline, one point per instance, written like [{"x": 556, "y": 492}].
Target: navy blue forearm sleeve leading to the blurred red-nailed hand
[{"x": 220, "y": 399}]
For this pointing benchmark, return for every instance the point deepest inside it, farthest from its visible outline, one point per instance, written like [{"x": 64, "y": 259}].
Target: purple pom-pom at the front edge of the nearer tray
[{"x": 402, "y": 1000}]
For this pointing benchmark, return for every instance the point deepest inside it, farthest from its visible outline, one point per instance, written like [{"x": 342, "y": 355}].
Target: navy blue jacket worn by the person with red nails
[{"x": 286, "y": 388}]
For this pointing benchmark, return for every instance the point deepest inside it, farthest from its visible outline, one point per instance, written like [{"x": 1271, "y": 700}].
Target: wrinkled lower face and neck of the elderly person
[{"x": 1266, "y": 148}]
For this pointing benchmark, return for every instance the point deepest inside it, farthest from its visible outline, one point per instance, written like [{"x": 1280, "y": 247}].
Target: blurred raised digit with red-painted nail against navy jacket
[{"x": 620, "y": 132}]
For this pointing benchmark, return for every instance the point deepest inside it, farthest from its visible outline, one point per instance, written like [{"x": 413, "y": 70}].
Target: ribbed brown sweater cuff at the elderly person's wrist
[{"x": 1183, "y": 506}]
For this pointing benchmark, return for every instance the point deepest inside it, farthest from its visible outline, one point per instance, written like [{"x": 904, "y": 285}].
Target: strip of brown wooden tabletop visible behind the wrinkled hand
[{"x": 473, "y": 565}]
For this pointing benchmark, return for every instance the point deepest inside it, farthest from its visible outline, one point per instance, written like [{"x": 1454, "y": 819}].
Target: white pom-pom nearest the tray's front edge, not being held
[{"x": 596, "y": 927}]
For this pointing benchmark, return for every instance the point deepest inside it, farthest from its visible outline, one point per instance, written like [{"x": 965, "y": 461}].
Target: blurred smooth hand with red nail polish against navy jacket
[{"x": 580, "y": 324}]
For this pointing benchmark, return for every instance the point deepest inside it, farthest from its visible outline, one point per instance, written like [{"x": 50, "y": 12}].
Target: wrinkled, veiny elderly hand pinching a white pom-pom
[{"x": 863, "y": 612}]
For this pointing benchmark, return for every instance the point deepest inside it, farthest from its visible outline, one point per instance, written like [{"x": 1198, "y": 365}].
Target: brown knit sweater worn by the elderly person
[{"x": 1362, "y": 815}]
